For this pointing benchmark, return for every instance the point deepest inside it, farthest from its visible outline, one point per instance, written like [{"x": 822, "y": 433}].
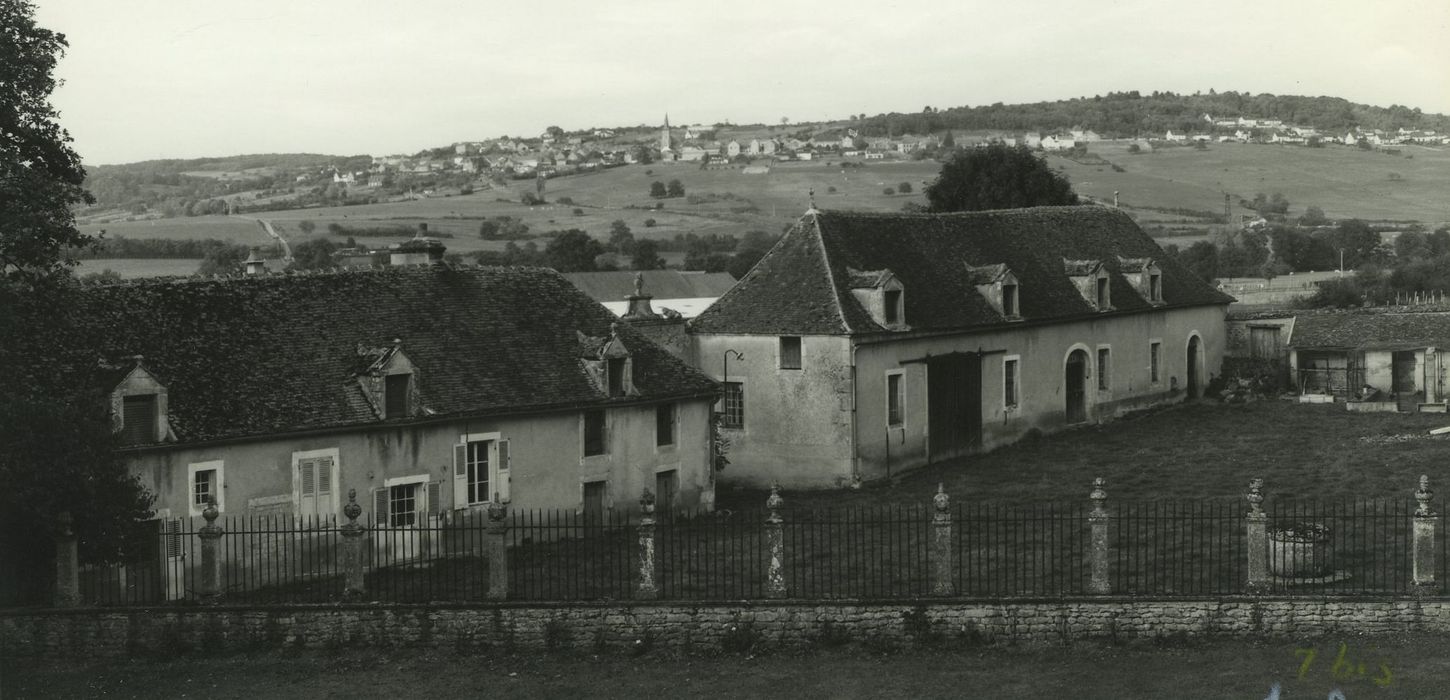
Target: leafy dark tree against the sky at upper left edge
[{"x": 41, "y": 178}]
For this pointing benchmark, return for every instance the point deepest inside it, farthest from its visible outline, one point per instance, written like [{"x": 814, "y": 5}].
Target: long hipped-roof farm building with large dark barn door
[{"x": 868, "y": 344}]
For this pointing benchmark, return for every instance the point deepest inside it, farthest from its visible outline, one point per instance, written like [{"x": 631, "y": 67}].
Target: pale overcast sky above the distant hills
[{"x": 186, "y": 79}]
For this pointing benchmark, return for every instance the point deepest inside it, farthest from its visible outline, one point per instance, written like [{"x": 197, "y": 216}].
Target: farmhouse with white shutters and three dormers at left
[{"x": 431, "y": 391}]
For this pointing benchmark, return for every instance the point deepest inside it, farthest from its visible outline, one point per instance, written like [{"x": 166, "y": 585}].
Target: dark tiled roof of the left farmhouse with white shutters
[{"x": 260, "y": 356}]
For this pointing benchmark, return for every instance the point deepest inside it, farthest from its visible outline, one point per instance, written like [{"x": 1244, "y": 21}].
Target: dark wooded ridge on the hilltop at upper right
[{"x": 1123, "y": 115}]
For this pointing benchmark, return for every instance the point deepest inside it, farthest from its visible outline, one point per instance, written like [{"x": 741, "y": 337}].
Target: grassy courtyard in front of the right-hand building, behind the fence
[{"x": 1191, "y": 451}]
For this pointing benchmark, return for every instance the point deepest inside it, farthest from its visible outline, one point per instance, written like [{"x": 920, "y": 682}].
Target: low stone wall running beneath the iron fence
[{"x": 705, "y": 627}]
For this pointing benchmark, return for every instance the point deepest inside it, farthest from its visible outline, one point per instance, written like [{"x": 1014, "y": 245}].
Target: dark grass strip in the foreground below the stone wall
[{"x": 1396, "y": 667}]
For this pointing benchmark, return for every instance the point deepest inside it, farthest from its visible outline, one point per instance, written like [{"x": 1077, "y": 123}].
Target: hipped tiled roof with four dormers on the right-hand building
[{"x": 803, "y": 286}]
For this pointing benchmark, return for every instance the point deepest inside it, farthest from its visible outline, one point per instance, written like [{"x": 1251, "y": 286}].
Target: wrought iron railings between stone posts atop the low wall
[{"x": 1155, "y": 549}]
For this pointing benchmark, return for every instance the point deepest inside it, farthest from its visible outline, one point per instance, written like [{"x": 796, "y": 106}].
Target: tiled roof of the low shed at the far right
[{"x": 1372, "y": 331}]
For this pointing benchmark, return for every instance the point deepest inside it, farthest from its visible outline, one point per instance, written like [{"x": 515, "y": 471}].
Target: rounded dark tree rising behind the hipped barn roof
[{"x": 997, "y": 178}]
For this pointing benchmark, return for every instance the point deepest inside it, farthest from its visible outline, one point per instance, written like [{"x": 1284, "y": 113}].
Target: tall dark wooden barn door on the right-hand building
[{"x": 955, "y": 405}]
